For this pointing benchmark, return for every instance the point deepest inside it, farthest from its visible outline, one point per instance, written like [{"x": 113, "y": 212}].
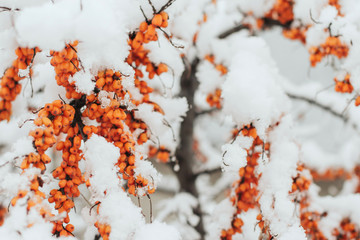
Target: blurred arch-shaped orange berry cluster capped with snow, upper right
[{"x": 332, "y": 46}]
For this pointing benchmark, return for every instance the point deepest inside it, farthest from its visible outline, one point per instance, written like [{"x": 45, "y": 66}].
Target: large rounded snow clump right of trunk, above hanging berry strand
[{"x": 251, "y": 93}]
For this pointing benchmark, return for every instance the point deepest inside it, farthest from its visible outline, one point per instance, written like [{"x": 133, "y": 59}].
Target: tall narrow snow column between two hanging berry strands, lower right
[{"x": 277, "y": 207}]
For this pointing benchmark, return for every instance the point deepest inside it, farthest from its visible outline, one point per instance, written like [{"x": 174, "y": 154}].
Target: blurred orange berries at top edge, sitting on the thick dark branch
[{"x": 282, "y": 12}]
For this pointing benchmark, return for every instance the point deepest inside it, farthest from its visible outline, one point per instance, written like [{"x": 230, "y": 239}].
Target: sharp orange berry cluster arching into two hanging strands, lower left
[{"x": 56, "y": 118}]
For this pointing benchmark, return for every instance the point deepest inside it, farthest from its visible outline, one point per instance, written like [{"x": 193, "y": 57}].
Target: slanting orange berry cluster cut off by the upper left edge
[{"x": 9, "y": 85}]
